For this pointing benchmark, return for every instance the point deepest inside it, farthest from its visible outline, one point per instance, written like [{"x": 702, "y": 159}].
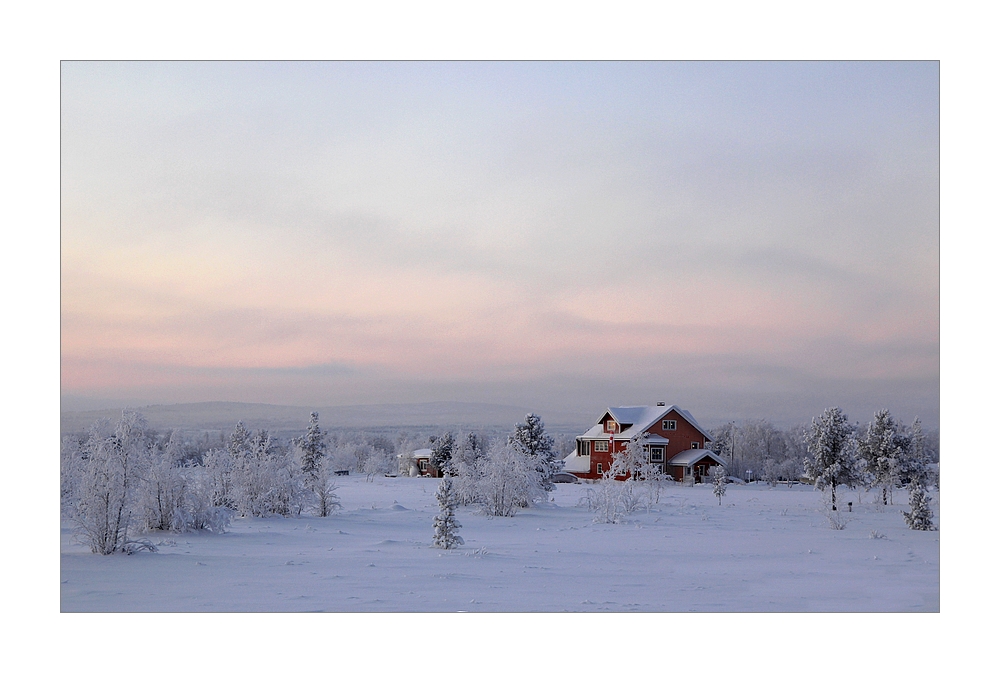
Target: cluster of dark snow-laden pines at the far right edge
[{"x": 884, "y": 456}]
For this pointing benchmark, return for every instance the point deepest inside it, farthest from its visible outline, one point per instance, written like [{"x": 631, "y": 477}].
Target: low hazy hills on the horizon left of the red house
[{"x": 222, "y": 416}]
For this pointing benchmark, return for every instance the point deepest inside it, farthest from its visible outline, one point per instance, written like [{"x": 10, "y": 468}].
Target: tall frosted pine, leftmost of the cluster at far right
[{"x": 831, "y": 442}]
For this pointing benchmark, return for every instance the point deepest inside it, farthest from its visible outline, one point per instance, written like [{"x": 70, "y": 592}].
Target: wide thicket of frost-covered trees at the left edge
[{"x": 121, "y": 480}]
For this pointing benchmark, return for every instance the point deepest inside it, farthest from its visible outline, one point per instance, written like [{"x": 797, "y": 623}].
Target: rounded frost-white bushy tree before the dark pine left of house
[{"x": 510, "y": 479}]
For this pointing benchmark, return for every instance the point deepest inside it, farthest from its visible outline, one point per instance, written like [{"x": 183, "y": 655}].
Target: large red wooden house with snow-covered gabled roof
[{"x": 675, "y": 442}]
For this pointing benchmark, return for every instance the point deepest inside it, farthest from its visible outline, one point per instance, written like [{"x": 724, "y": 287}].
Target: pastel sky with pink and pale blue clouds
[{"x": 743, "y": 239}]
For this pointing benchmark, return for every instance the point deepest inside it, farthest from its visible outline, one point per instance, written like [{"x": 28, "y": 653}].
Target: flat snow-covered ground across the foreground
[{"x": 765, "y": 549}]
